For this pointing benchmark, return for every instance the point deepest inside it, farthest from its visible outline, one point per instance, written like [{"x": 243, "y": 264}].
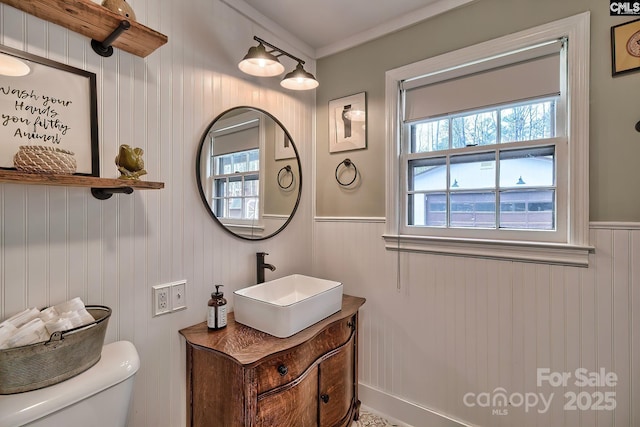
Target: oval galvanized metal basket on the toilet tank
[{"x": 66, "y": 354}]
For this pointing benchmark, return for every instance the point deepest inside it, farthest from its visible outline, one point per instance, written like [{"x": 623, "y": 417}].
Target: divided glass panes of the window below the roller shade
[{"x": 502, "y": 166}]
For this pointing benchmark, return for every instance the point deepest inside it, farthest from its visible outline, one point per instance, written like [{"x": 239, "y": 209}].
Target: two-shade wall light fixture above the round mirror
[{"x": 262, "y": 63}]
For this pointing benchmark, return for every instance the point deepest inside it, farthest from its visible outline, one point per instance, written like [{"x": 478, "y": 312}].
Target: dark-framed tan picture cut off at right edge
[{"x": 625, "y": 47}]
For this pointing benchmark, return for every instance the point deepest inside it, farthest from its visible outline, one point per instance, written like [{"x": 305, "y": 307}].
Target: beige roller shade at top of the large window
[{"x": 522, "y": 75}]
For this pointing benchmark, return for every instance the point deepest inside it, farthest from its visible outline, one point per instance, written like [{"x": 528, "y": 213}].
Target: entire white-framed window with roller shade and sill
[{"x": 488, "y": 148}]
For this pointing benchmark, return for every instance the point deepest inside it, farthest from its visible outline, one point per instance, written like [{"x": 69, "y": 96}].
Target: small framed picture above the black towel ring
[{"x": 348, "y": 123}]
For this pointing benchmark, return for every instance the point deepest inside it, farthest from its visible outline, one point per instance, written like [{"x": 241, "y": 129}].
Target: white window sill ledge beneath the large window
[{"x": 548, "y": 253}]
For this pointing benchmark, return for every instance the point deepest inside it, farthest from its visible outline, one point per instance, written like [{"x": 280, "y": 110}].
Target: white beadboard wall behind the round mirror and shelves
[{"x": 57, "y": 243}]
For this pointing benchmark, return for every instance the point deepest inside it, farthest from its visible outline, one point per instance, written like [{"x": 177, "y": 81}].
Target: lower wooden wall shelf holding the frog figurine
[{"x": 101, "y": 188}]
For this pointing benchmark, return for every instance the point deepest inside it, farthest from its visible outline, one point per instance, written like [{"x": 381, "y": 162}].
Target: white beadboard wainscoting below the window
[{"x": 440, "y": 334}]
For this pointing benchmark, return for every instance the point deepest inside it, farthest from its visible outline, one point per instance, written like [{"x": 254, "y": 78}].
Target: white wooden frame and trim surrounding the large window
[{"x": 573, "y": 248}]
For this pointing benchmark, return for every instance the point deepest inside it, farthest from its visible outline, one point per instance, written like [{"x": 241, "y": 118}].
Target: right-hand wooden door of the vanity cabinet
[{"x": 336, "y": 387}]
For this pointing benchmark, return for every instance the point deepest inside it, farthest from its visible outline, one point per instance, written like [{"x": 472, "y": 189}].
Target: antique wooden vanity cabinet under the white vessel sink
[{"x": 239, "y": 376}]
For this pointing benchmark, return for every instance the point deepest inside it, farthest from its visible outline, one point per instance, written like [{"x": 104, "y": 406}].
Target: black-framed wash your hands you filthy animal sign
[{"x": 54, "y": 105}]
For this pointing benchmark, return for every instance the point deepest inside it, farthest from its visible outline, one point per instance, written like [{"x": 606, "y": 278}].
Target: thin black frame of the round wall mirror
[{"x": 199, "y": 179}]
